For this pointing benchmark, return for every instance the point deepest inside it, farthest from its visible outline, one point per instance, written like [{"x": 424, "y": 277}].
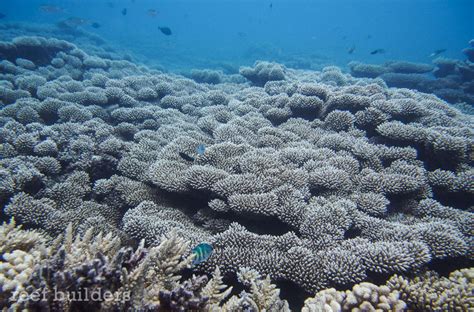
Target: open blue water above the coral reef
[{"x": 240, "y": 32}]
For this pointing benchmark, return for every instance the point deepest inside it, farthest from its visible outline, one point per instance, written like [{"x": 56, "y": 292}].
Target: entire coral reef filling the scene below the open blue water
[{"x": 139, "y": 190}]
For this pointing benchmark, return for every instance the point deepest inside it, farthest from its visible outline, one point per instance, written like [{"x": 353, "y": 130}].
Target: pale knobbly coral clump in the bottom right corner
[{"x": 427, "y": 292}]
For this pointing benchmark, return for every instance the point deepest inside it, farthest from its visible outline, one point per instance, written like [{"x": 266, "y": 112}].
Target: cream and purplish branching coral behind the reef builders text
[{"x": 86, "y": 272}]
